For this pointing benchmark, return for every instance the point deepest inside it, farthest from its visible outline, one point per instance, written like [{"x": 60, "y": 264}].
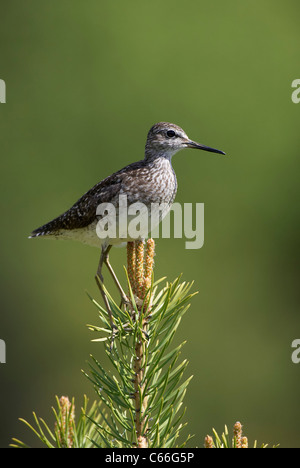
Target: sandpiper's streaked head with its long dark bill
[{"x": 166, "y": 139}]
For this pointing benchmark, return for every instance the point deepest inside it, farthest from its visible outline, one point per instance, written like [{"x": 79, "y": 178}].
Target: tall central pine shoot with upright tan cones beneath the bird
[{"x": 144, "y": 393}]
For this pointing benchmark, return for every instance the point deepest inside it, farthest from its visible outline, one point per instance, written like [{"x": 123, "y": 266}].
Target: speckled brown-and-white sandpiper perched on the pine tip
[{"x": 151, "y": 180}]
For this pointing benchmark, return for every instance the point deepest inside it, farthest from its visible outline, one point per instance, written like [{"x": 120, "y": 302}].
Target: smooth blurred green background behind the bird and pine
[{"x": 85, "y": 82}]
